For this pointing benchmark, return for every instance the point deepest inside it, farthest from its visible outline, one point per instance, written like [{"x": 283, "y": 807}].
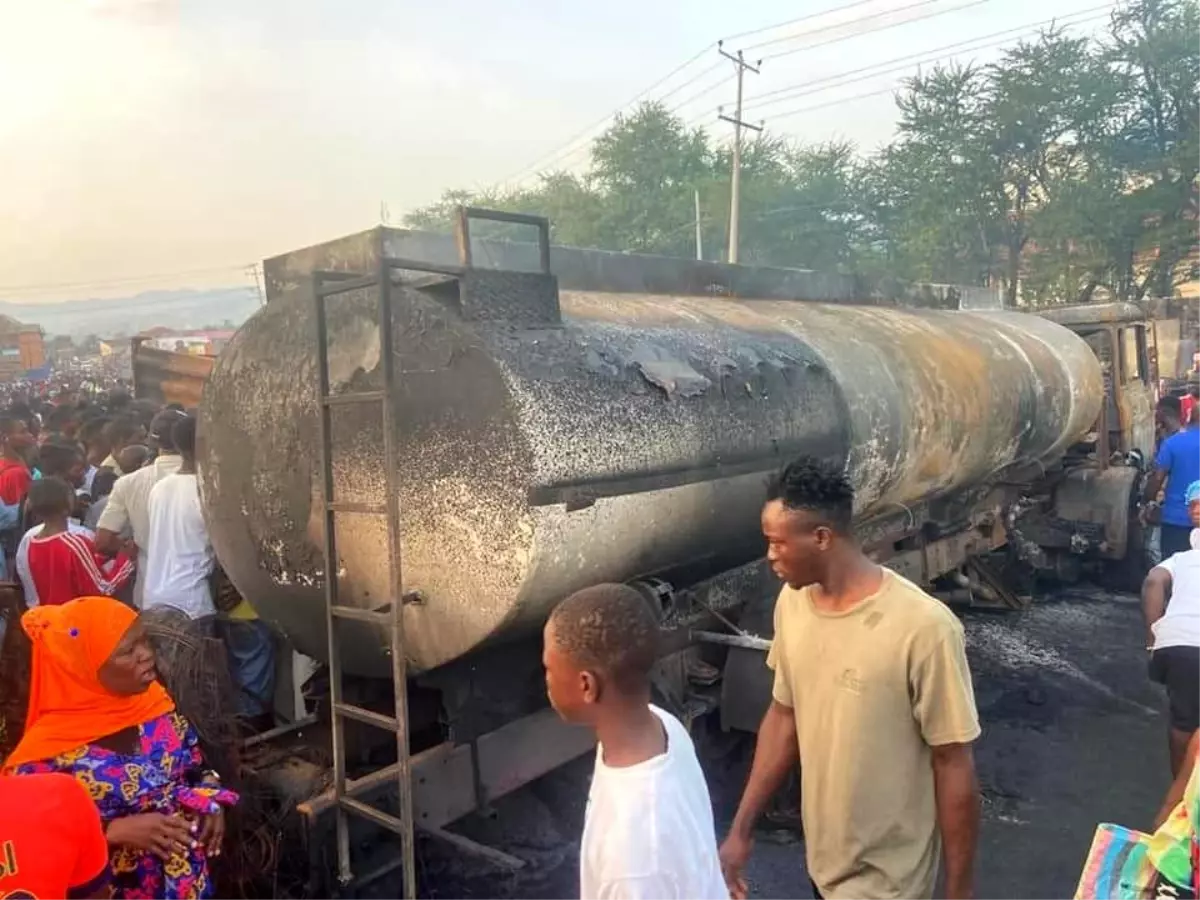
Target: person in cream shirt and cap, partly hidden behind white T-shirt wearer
[{"x": 128, "y": 512}]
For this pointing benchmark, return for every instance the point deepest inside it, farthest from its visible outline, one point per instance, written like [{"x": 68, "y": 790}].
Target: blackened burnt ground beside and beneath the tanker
[{"x": 1073, "y": 736}]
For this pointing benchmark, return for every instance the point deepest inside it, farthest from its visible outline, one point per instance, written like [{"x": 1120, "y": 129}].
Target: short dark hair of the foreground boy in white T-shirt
[{"x": 609, "y": 629}]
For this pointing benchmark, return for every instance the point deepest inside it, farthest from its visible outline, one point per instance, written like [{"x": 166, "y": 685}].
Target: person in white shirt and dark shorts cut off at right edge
[{"x": 1173, "y": 634}]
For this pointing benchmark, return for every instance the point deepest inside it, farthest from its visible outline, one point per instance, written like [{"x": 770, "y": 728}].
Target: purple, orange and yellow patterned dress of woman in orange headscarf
[{"x": 164, "y": 777}]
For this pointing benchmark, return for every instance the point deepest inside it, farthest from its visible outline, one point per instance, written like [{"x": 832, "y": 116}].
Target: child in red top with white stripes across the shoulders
[{"x": 58, "y": 560}]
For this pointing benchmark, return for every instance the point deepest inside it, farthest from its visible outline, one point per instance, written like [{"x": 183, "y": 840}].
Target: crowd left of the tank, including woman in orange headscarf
[{"x": 101, "y": 526}]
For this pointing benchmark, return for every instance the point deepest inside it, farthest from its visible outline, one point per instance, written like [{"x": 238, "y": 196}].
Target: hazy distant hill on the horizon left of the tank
[{"x": 128, "y": 316}]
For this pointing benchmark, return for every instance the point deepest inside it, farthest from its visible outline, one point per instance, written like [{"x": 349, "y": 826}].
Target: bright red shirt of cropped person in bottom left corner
[{"x": 52, "y": 845}]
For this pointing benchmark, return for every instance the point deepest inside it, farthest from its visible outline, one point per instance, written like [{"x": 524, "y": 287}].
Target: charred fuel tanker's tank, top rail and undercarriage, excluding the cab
[{"x": 562, "y": 418}]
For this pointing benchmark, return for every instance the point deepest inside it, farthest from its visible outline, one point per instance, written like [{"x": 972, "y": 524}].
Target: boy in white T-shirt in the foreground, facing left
[{"x": 649, "y": 833}]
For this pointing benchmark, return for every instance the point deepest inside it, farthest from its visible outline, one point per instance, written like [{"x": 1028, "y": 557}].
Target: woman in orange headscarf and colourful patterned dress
[{"x": 98, "y": 712}]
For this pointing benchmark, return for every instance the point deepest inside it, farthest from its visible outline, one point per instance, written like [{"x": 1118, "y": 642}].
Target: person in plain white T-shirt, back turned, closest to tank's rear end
[{"x": 179, "y": 560}]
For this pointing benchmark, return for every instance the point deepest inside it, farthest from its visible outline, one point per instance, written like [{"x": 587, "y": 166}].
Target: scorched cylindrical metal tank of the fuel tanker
[{"x": 631, "y": 439}]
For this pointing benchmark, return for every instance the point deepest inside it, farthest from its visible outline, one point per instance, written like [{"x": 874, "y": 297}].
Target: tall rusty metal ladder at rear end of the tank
[{"x": 326, "y": 286}]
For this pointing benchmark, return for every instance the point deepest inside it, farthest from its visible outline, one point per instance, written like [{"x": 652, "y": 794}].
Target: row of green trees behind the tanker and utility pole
[{"x": 1066, "y": 171}]
